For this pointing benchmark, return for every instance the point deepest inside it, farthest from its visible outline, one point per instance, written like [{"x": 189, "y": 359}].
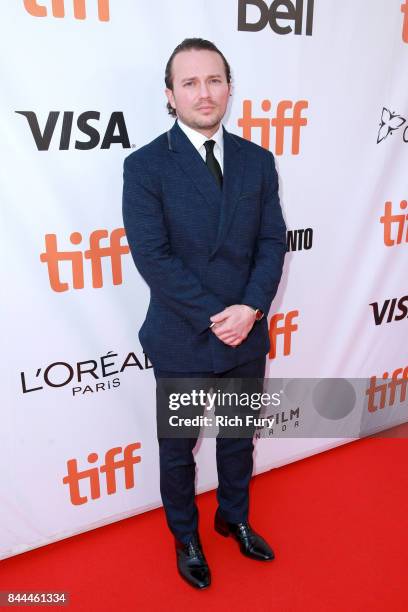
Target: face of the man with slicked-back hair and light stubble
[{"x": 200, "y": 89}]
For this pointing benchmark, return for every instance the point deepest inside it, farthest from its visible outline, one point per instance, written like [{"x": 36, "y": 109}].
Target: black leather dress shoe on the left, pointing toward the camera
[{"x": 191, "y": 563}]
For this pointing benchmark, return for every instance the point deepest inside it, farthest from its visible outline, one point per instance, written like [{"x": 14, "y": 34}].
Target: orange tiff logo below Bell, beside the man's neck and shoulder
[{"x": 279, "y": 122}]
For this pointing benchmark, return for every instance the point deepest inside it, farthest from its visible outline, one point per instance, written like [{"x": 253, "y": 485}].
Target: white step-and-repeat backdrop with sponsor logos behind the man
[{"x": 323, "y": 84}]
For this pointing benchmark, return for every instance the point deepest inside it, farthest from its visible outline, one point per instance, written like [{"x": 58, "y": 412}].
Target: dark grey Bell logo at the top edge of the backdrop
[{"x": 293, "y": 12}]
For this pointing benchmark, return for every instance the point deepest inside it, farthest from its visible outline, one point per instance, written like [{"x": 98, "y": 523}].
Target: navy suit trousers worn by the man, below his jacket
[{"x": 234, "y": 464}]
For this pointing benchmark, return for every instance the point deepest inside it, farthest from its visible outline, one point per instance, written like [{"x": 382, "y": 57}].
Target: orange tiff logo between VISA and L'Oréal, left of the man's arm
[{"x": 114, "y": 251}]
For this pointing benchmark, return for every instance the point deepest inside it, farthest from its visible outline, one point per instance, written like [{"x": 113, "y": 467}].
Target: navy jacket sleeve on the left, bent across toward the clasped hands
[{"x": 166, "y": 274}]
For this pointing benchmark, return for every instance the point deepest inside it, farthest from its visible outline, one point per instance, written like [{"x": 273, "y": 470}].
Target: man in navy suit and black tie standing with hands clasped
[{"x": 205, "y": 228}]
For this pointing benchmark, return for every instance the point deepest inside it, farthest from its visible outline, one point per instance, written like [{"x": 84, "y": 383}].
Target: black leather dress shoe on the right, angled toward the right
[{"x": 251, "y": 544}]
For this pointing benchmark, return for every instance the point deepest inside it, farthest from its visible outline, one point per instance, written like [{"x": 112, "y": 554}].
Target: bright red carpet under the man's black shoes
[{"x": 337, "y": 522}]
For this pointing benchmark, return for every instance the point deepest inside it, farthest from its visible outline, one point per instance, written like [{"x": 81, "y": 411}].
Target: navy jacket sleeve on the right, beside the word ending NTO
[{"x": 271, "y": 247}]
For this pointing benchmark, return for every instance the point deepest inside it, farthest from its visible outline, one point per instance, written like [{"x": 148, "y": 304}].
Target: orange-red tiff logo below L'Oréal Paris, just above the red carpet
[{"x": 109, "y": 468}]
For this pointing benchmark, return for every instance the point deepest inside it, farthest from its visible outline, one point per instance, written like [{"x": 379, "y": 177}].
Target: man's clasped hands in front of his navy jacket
[{"x": 233, "y": 324}]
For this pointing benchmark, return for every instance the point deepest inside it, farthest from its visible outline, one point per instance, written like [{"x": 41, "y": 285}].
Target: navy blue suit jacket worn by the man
[{"x": 200, "y": 248}]
